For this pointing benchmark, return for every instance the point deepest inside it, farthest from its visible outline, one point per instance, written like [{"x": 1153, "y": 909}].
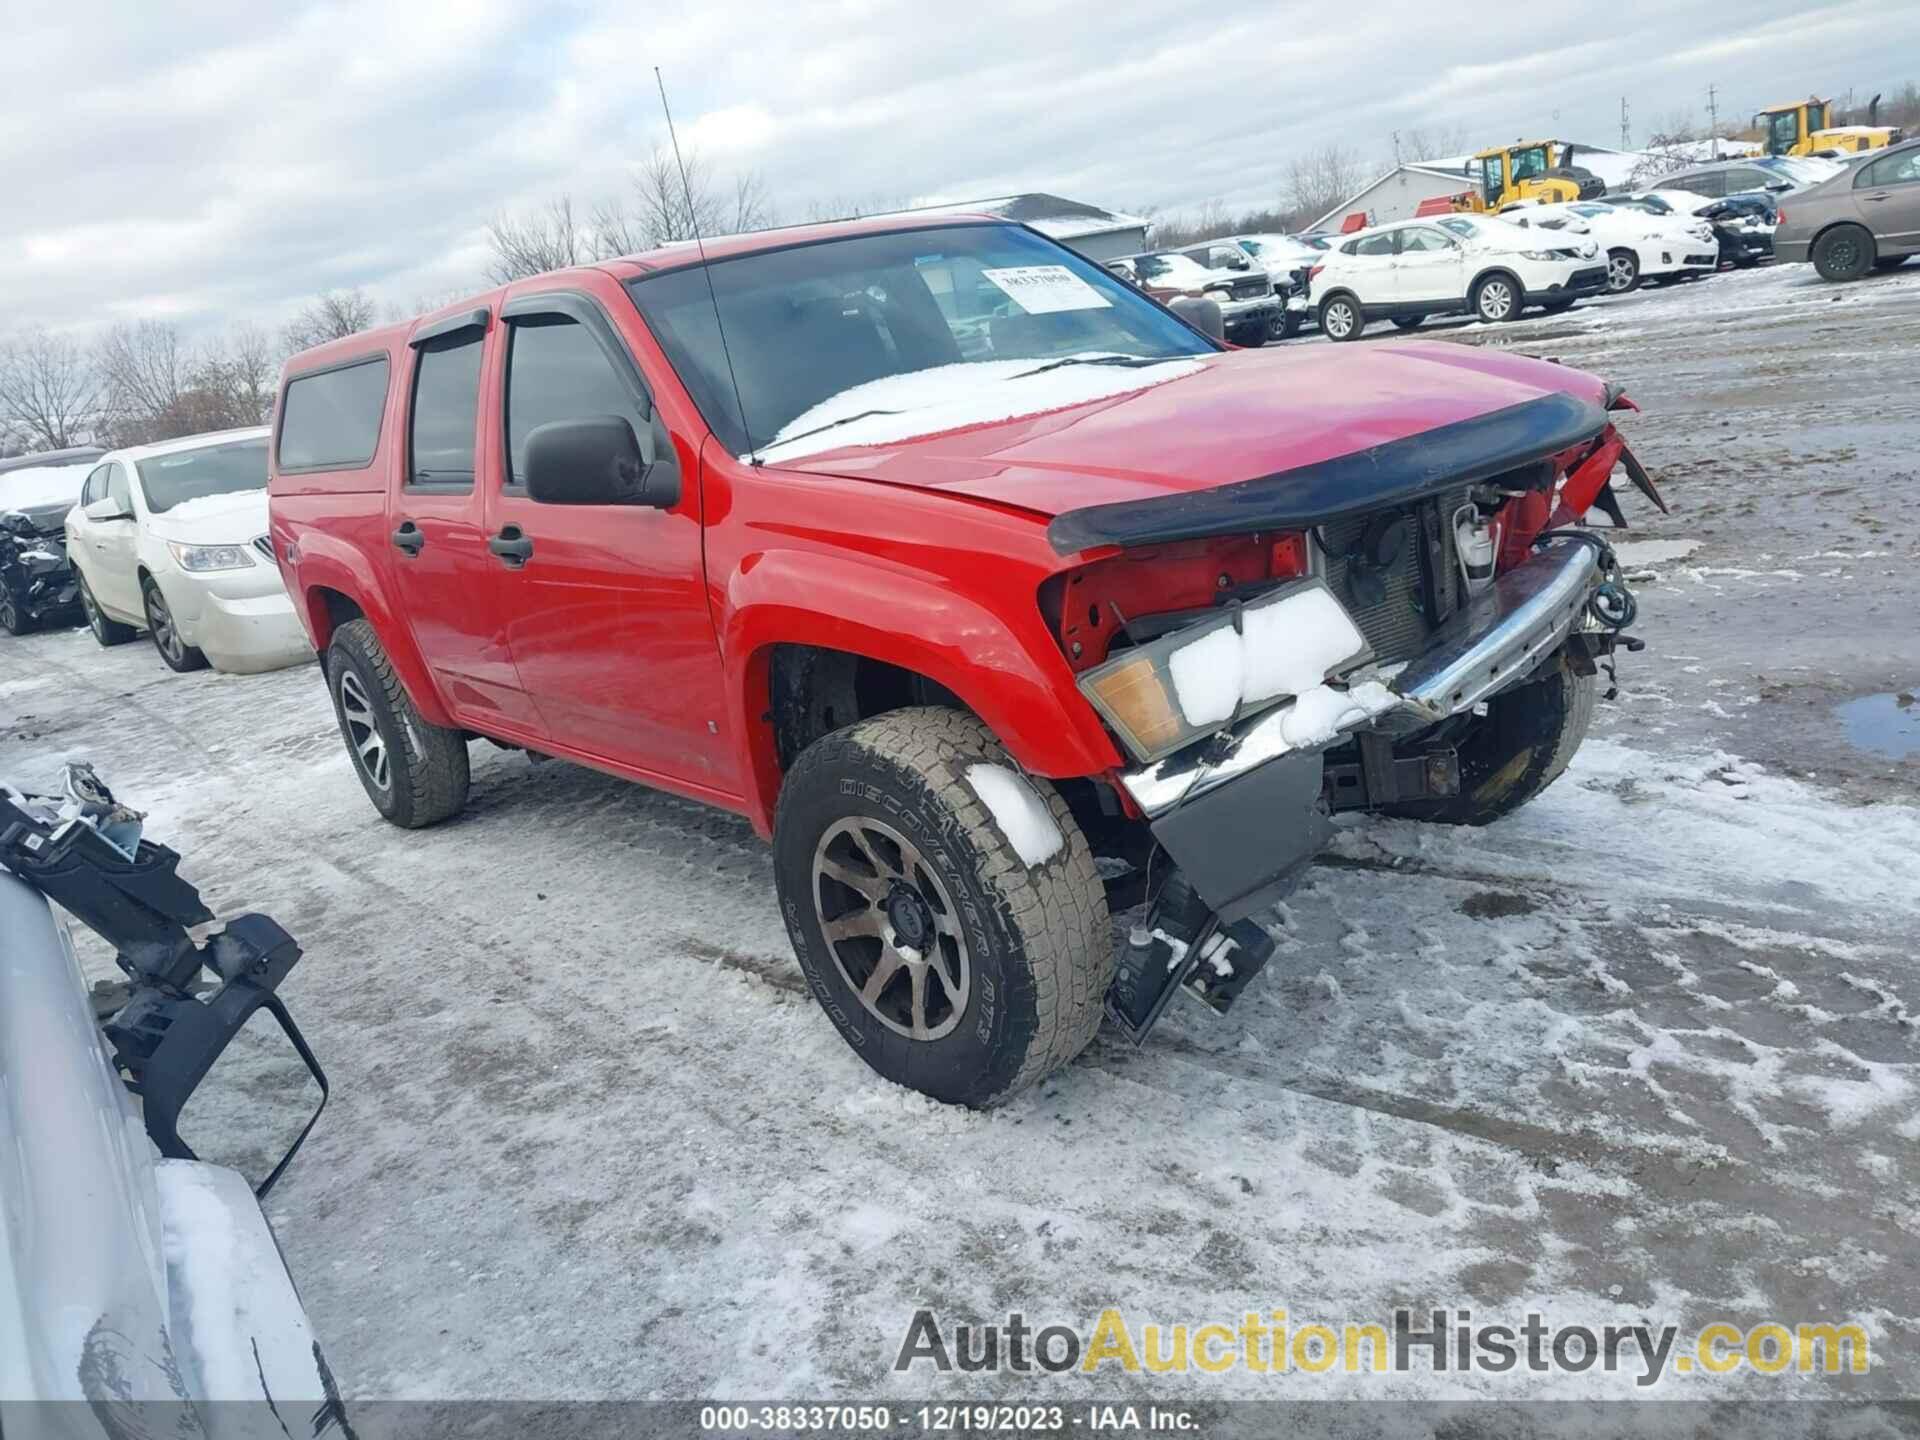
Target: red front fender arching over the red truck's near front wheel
[{"x": 999, "y": 660}]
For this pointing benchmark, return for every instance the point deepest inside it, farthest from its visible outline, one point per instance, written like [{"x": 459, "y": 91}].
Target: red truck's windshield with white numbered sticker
[{"x": 813, "y": 322}]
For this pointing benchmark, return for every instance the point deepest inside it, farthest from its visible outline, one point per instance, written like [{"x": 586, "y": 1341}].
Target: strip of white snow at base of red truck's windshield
[{"x": 957, "y": 396}]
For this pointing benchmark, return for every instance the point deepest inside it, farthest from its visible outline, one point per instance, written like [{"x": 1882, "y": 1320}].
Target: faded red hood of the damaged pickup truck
[{"x": 1249, "y": 416}]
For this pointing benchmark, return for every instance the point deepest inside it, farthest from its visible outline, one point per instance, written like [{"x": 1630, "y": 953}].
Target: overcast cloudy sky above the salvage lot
[{"x": 216, "y": 162}]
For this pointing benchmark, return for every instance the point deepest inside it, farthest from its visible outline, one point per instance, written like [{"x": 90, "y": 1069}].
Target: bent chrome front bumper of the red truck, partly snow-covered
[{"x": 1497, "y": 640}]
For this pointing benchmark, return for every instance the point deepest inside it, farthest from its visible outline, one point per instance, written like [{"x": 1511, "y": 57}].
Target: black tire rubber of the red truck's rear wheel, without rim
[{"x": 427, "y": 765}]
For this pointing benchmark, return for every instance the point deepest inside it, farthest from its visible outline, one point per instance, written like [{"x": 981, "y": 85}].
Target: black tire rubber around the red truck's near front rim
[{"x": 1040, "y": 942}]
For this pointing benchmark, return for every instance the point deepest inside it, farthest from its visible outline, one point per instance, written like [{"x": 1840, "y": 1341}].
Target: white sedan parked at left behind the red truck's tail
[{"x": 172, "y": 539}]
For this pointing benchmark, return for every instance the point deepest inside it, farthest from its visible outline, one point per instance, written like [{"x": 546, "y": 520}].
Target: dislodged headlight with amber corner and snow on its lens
[{"x": 1193, "y": 683}]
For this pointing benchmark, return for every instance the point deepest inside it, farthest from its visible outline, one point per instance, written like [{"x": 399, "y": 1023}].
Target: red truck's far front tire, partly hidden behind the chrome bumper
[{"x": 1514, "y": 752}]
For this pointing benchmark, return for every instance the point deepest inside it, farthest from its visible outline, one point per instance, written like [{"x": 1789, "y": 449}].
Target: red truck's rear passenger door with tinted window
[{"x": 444, "y": 577}]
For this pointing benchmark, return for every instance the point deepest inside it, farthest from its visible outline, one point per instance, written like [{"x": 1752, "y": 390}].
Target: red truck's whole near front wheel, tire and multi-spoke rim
[{"x": 944, "y": 905}]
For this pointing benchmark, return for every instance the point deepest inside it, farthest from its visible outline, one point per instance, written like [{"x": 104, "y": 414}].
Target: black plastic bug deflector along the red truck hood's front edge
[{"x": 1397, "y": 473}]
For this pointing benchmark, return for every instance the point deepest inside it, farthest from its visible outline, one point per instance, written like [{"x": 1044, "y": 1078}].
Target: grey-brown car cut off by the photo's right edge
[{"x": 1865, "y": 218}]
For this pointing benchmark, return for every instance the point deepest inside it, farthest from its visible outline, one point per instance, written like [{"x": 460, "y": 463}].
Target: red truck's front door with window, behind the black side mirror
[{"x": 606, "y": 604}]
